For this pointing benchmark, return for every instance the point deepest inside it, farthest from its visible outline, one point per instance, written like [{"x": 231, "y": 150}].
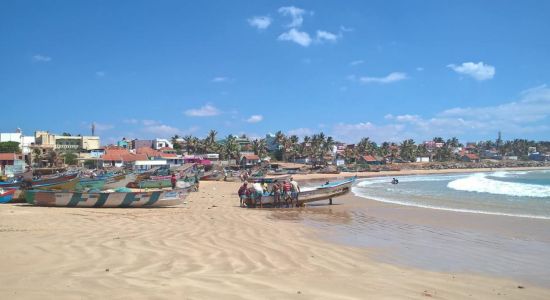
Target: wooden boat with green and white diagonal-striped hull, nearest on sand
[{"x": 106, "y": 199}]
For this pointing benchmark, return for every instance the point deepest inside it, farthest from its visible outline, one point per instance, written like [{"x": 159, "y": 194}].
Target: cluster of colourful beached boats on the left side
[{"x": 110, "y": 189}]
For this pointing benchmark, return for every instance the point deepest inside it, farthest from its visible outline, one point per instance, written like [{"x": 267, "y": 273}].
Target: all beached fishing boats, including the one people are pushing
[{"x": 148, "y": 189}]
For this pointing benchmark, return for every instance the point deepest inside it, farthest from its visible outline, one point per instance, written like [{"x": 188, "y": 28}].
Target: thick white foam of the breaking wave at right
[{"x": 481, "y": 184}]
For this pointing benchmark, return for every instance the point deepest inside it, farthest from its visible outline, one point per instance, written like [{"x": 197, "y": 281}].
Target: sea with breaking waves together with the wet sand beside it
[{"x": 513, "y": 196}]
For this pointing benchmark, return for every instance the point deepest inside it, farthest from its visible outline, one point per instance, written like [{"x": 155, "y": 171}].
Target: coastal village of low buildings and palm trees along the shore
[{"x": 275, "y": 152}]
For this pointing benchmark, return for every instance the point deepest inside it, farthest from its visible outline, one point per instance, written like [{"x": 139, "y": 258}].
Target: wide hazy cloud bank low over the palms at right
[{"x": 529, "y": 115}]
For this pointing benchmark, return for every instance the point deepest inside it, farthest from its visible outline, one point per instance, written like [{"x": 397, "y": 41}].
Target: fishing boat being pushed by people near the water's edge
[{"x": 327, "y": 191}]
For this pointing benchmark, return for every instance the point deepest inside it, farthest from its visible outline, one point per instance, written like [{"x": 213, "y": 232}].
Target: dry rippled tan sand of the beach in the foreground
[{"x": 209, "y": 248}]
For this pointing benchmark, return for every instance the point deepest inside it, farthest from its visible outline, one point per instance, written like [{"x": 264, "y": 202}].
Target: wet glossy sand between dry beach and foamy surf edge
[{"x": 488, "y": 245}]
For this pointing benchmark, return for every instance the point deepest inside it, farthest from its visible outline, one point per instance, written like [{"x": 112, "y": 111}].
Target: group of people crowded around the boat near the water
[{"x": 286, "y": 191}]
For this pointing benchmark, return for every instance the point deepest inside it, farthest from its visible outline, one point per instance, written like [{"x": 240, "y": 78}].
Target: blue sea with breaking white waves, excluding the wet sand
[{"x": 509, "y": 193}]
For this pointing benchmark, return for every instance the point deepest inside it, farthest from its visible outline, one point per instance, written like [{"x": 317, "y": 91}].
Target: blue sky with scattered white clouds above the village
[{"x": 387, "y": 70}]
